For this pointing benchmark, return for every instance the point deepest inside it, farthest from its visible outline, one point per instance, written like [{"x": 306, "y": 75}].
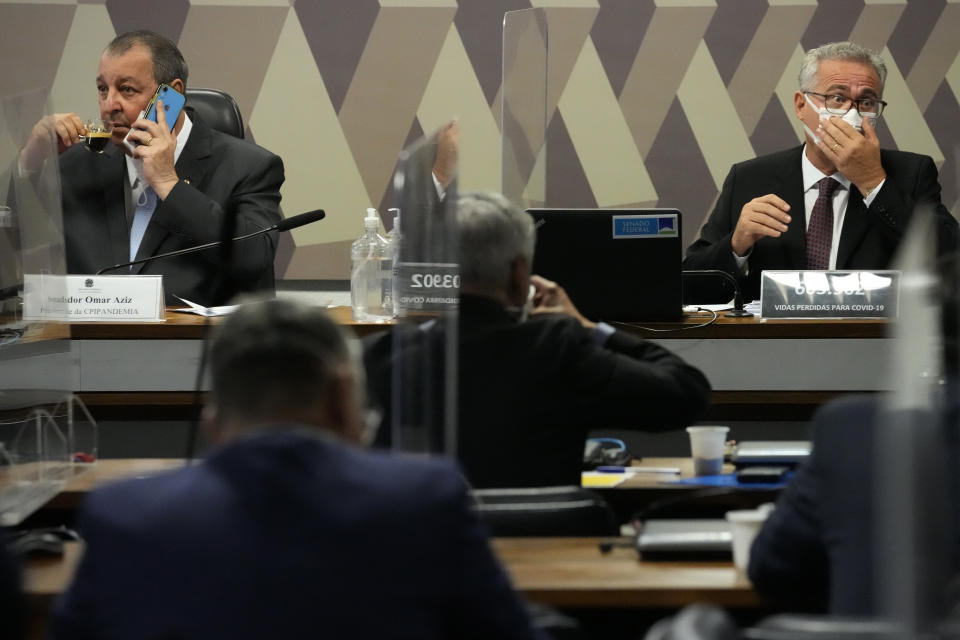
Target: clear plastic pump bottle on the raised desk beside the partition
[{"x": 371, "y": 274}]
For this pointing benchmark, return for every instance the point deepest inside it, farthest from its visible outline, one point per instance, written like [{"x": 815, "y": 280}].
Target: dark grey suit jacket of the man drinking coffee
[{"x": 216, "y": 170}]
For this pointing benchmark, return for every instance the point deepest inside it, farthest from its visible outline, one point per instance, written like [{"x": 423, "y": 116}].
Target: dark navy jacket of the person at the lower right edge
[{"x": 818, "y": 550}]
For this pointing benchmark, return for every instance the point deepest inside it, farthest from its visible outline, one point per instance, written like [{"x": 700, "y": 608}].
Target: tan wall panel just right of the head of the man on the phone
[{"x": 236, "y": 58}]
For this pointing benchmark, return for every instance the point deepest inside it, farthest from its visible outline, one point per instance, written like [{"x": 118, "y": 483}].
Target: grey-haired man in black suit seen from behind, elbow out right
[{"x": 530, "y": 390}]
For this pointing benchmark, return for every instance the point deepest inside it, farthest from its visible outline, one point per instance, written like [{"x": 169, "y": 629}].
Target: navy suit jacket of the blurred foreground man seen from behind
[{"x": 289, "y": 534}]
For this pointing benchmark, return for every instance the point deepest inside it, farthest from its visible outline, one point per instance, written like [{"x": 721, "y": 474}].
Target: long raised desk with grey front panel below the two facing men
[{"x": 759, "y": 369}]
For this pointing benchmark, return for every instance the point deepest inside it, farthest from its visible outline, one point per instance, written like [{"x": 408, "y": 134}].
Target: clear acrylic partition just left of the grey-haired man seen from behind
[{"x": 423, "y": 411}]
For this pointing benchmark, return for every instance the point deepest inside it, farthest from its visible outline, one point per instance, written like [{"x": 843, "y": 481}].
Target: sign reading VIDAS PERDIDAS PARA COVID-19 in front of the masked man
[{"x": 829, "y": 294}]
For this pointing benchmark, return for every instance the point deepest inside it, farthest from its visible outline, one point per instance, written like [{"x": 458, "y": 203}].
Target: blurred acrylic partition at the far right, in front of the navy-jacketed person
[{"x": 916, "y": 445}]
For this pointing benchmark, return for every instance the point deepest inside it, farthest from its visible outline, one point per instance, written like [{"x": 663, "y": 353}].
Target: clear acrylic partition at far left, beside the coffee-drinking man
[{"x": 45, "y": 434}]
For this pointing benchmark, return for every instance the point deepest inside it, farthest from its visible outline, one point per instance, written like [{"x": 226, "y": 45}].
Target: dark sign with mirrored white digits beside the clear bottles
[{"x": 426, "y": 286}]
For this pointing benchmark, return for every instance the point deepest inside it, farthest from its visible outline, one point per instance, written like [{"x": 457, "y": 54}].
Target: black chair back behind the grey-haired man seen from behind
[{"x": 545, "y": 511}]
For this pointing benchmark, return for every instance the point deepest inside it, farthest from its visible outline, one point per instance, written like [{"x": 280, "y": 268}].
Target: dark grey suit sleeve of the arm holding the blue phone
[{"x": 190, "y": 213}]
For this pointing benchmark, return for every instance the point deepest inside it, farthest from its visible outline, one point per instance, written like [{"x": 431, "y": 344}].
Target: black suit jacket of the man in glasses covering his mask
[{"x": 869, "y": 237}]
